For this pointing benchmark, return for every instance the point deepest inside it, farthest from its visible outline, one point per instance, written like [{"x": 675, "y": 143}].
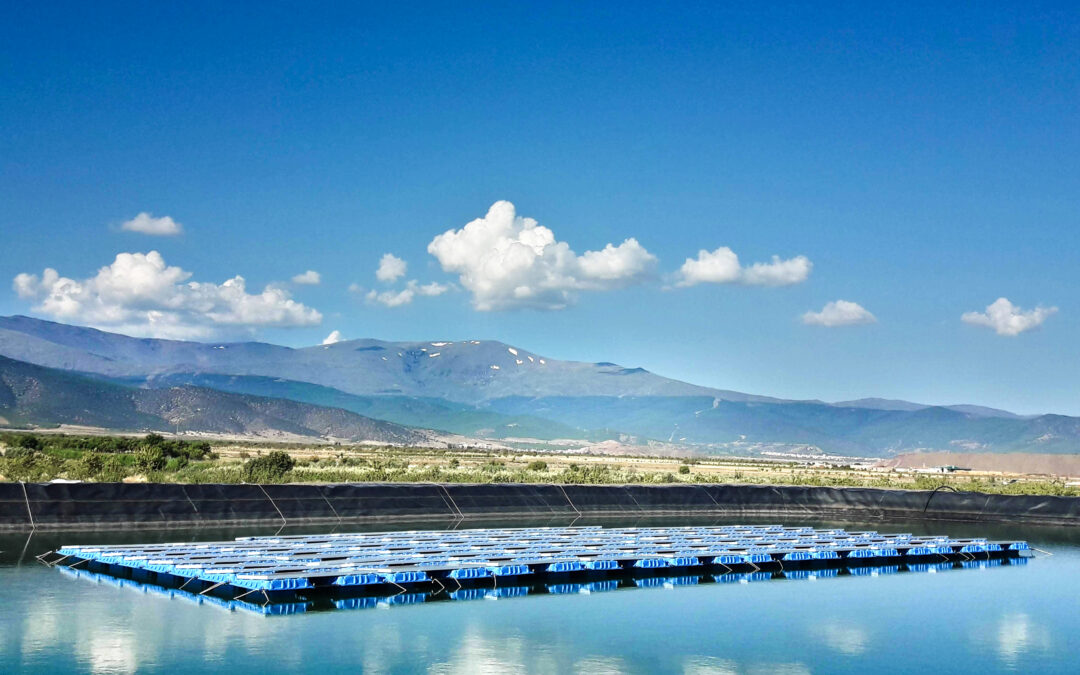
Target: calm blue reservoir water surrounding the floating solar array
[{"x": 998, "y": 620}]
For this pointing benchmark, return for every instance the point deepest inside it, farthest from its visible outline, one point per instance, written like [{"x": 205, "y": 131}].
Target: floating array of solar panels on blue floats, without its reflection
[{"x": 415, "y": 558}]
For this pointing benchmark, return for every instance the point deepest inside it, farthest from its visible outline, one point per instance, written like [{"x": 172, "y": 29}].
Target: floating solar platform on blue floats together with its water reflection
[{"x": 415, "y": 564}]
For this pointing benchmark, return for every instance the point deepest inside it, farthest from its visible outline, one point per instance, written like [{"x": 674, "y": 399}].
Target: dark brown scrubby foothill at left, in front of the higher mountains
[{"x": 32, "y": 395}]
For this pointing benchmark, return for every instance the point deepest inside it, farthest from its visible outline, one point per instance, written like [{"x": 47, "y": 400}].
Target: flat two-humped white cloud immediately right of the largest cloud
[{"x": 723, "y": 267}]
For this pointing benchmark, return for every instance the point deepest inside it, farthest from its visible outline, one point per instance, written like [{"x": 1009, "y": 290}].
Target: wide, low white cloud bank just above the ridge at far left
[{"x": 139, "y": 294}]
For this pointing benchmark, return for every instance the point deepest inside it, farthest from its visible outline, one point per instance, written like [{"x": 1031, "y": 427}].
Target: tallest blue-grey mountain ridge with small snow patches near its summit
[{"x": 466, "y": 372}]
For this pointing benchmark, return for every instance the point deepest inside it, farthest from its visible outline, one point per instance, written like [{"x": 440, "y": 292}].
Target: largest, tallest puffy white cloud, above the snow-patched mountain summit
[{"x": 509, "y": 262}]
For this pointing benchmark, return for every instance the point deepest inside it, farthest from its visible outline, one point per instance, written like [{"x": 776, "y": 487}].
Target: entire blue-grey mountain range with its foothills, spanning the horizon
[{"x": 476, "y": 388}]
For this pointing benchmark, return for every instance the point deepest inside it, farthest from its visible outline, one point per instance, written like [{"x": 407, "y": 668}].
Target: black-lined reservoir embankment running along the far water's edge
[{"x": 98, "y": 506}]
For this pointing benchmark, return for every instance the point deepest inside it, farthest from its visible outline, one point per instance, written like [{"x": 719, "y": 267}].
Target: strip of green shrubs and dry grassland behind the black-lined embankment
[{"x": 154, "y": 458}]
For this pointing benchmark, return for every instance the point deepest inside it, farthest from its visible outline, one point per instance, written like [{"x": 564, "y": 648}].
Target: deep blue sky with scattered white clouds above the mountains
[{"x": 809, "y": 201}]
